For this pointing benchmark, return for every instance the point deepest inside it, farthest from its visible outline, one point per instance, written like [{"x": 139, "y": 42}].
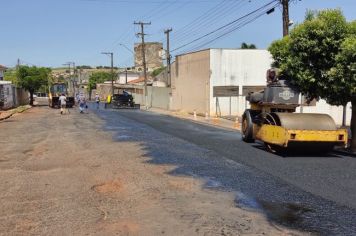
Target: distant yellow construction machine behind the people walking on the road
[{"x": 55, "y": 92}]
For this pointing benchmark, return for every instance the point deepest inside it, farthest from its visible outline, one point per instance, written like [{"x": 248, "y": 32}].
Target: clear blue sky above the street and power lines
[{"x": 53, "y": 32}]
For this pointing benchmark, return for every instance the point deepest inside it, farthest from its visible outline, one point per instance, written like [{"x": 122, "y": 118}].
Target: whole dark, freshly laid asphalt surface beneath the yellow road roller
[{"x": 312, "y": 193}]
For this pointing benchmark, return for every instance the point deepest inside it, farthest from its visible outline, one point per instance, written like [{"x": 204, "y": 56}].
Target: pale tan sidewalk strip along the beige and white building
[{"x": 213, "y": 121}]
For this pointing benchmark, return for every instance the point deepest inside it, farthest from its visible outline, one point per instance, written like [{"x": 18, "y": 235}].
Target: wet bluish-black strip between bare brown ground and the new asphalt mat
[{"x": 282, "y": 203}]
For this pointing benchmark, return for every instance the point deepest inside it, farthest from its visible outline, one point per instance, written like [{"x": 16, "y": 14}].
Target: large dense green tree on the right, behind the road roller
[{"x": 319, "y": 57}]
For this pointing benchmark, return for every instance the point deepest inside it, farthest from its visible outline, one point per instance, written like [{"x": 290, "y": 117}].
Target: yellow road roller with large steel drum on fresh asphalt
[{"x": 271, "y": 119}]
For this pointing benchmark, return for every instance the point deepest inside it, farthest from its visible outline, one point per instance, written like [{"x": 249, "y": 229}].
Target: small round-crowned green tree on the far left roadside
[{"x": 32, "y": 78}]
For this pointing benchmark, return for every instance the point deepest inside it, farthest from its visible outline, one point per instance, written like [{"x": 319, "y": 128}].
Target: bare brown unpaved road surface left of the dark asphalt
[{"x": 64, "y": 175}]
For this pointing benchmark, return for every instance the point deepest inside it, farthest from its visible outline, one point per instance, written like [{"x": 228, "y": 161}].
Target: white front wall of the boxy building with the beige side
[{"x": 238, "y": 68}]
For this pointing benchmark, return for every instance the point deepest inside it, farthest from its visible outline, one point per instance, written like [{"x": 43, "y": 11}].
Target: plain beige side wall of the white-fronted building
[{"x": 190, "y": 82}]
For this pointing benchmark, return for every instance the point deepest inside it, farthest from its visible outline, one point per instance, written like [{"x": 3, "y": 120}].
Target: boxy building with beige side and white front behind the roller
[{"x": 216, "y": 81}]
